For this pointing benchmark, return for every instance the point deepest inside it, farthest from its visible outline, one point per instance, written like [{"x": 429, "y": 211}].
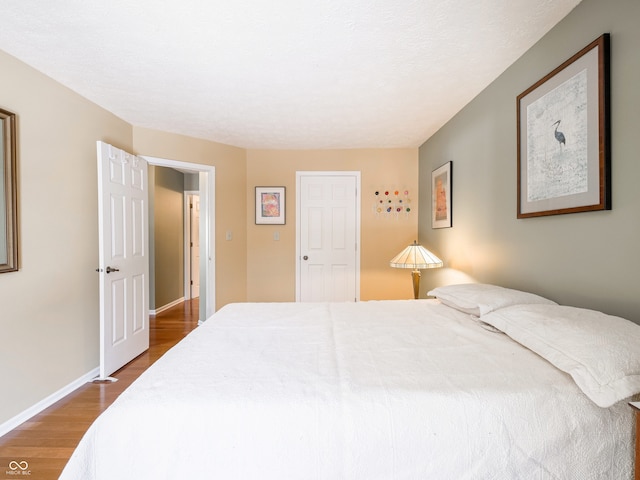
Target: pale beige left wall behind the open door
[{"x": 49, "y": 309}]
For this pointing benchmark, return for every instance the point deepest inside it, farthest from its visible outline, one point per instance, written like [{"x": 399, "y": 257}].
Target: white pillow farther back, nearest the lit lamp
[{"x": 479, "y": 299}]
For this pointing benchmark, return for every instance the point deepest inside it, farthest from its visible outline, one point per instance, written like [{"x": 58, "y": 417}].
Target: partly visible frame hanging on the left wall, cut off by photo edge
[{"x": 8, "y": 193}]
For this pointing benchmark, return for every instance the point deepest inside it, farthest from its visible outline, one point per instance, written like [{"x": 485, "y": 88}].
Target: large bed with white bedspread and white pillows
[{"x": 415, "y": 389}]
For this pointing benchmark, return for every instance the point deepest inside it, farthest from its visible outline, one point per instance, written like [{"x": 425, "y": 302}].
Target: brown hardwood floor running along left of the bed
[{"x": 47, "y": 440}]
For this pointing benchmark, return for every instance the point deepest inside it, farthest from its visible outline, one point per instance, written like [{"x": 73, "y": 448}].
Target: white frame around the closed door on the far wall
[{"x": 328, "y": 173}]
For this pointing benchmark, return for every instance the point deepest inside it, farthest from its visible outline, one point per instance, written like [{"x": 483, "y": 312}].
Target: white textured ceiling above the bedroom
[{"x": 281, "y": 74}]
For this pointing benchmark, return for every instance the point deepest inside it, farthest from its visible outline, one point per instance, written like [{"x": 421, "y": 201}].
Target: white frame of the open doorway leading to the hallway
[{"x": 207, "y": 190}]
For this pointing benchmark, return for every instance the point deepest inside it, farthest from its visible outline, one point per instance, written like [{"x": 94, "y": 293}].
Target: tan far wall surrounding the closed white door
[{"x": 381, "y": 237}]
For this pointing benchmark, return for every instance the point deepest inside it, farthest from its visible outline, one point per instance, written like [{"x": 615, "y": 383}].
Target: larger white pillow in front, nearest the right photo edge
[{"x": 601, "y": 352}]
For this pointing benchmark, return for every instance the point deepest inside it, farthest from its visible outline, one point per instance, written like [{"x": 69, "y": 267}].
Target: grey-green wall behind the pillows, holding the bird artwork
[{"x": 587, "y": 259}]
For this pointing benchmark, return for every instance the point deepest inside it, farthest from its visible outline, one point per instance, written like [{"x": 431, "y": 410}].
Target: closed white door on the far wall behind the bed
[{"x": 328, "y": 237}]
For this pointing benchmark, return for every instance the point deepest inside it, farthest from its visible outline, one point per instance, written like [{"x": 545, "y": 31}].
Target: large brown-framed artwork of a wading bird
[{"x": 564, "y": 151}]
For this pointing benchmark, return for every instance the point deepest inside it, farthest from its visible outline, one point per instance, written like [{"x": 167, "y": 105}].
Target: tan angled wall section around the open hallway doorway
[{"x": 230, "y": 165}]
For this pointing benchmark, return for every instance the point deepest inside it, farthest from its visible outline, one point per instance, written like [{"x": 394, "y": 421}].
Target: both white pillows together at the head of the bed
[{"x": 601, "y": 352}]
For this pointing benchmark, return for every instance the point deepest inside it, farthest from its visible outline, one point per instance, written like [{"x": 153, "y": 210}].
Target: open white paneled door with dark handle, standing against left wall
[{"x": 124, "y": 263}]
